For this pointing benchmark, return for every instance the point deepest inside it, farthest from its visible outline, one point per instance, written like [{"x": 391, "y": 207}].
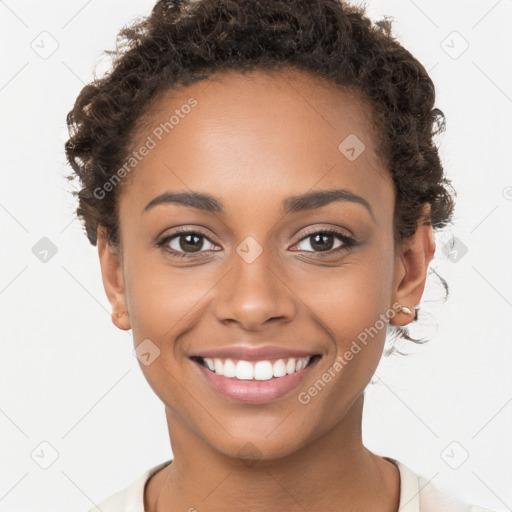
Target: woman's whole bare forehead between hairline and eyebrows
[{"x": 257, "y": 136}]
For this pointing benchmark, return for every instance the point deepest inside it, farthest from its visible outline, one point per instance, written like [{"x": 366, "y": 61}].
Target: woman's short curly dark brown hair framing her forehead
[{"x": 185, "y": 41}]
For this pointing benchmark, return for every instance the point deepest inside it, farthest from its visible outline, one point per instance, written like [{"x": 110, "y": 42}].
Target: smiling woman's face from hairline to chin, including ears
[{"x": 266, "y": 260}]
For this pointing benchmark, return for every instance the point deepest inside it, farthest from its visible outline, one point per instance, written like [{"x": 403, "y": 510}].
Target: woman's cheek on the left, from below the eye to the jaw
[{"x": 164, "y": 303}]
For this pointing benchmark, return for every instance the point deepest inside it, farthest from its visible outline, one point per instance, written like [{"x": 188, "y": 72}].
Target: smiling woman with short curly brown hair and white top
[{"x": 261, "y": 181}]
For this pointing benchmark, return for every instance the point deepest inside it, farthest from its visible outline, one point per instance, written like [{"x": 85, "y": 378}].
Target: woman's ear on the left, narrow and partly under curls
[{"x": 113, "y": 280}]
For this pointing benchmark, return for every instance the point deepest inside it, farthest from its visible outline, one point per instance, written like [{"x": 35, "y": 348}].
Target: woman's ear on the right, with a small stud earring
[{"x": 411, "y": 266}]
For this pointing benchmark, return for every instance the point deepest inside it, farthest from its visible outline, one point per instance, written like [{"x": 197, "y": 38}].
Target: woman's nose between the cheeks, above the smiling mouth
[{"x": 254, "y": 293}]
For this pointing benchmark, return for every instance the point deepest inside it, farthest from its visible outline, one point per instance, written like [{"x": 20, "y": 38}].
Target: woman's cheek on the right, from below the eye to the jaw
[{"x": 351, "y": 304}]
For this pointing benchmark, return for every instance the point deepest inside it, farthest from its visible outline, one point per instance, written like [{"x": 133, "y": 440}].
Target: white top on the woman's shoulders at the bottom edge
[{"x": 416, "y": 495}]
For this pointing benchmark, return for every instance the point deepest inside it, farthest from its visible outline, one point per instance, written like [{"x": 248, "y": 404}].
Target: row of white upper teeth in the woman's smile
[{"x": 260, "y": 370}]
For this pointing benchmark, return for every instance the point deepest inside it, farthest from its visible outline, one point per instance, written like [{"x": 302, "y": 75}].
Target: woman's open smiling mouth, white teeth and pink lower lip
[{"x": 254, "y": 382}]
